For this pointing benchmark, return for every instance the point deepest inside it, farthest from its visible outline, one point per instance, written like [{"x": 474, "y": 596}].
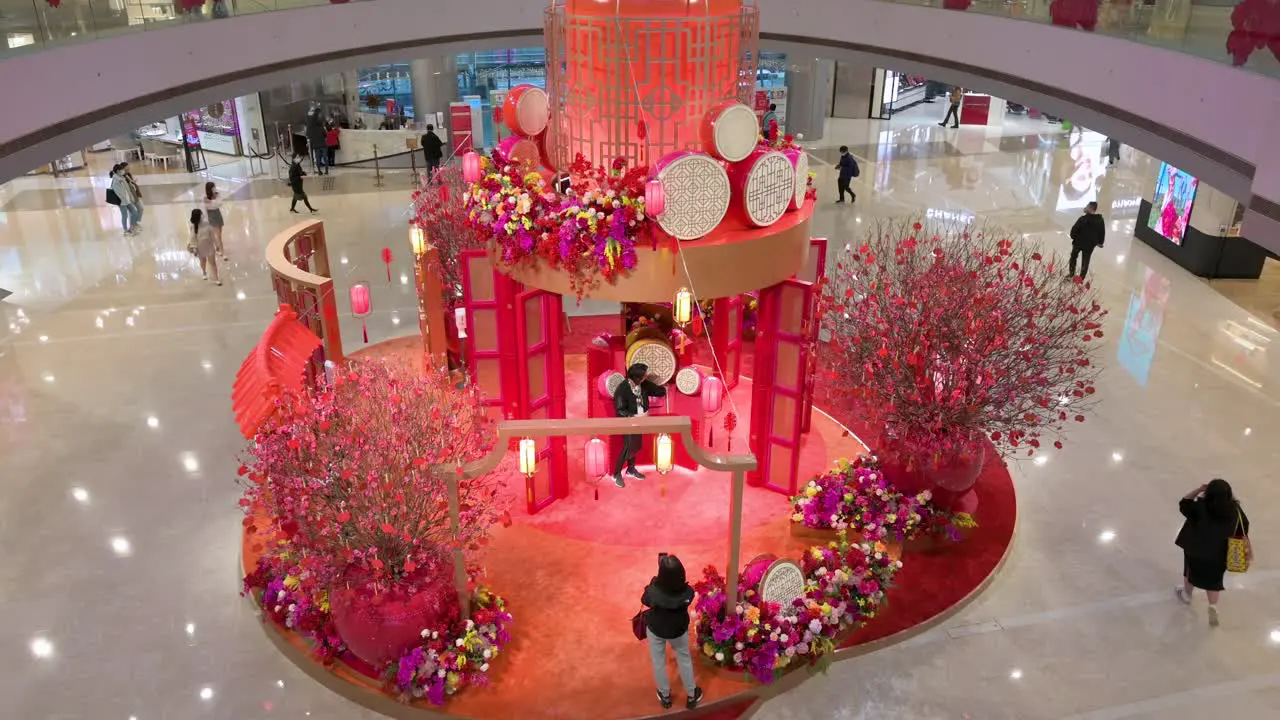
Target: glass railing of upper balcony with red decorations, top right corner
[{"x": 1196, "y": 28}]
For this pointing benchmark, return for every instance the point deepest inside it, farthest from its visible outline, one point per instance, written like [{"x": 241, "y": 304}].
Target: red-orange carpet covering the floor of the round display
[{"x": 573, "y": 576}]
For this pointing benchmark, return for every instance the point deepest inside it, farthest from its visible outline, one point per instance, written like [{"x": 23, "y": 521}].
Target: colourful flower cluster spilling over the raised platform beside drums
[{"x": 591, "y": 233}]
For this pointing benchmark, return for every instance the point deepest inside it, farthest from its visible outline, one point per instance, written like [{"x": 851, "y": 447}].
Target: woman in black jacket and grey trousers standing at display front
[{"x": 669, "y": 598}]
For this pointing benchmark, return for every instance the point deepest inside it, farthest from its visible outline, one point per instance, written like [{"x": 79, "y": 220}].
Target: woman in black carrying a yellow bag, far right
[{"x": 1213, "y": 517}]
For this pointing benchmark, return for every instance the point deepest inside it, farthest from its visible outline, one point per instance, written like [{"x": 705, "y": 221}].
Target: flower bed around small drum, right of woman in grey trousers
[{"x": 844, "y": 586}]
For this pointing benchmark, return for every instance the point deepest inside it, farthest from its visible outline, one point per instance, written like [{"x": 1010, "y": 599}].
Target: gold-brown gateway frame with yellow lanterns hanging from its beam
[{"x": 671, "y": 425}]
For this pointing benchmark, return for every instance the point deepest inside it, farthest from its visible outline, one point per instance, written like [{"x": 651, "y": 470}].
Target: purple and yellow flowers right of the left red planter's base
[{"x": 449, "y": 662}]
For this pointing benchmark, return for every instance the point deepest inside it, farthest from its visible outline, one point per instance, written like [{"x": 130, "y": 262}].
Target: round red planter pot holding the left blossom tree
[{"x": 380, "y": 628}]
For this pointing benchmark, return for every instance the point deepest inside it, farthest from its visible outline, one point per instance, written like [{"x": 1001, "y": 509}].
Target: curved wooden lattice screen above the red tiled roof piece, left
[{"x": 299, "y": 259}]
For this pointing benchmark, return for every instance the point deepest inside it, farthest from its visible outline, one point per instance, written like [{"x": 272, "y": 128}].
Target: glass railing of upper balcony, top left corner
[{"x": 31, "y": 26}]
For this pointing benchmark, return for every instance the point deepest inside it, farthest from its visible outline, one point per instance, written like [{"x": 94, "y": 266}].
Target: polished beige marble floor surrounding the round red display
[{"x": 118, "y": 452}]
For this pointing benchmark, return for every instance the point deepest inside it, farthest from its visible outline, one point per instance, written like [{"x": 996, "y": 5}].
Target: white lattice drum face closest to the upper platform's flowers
[{"x": 698, "y": 194}]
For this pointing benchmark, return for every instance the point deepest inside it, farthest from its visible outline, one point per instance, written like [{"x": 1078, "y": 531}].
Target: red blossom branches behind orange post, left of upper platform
[{"x": 440, "y": 211}]
